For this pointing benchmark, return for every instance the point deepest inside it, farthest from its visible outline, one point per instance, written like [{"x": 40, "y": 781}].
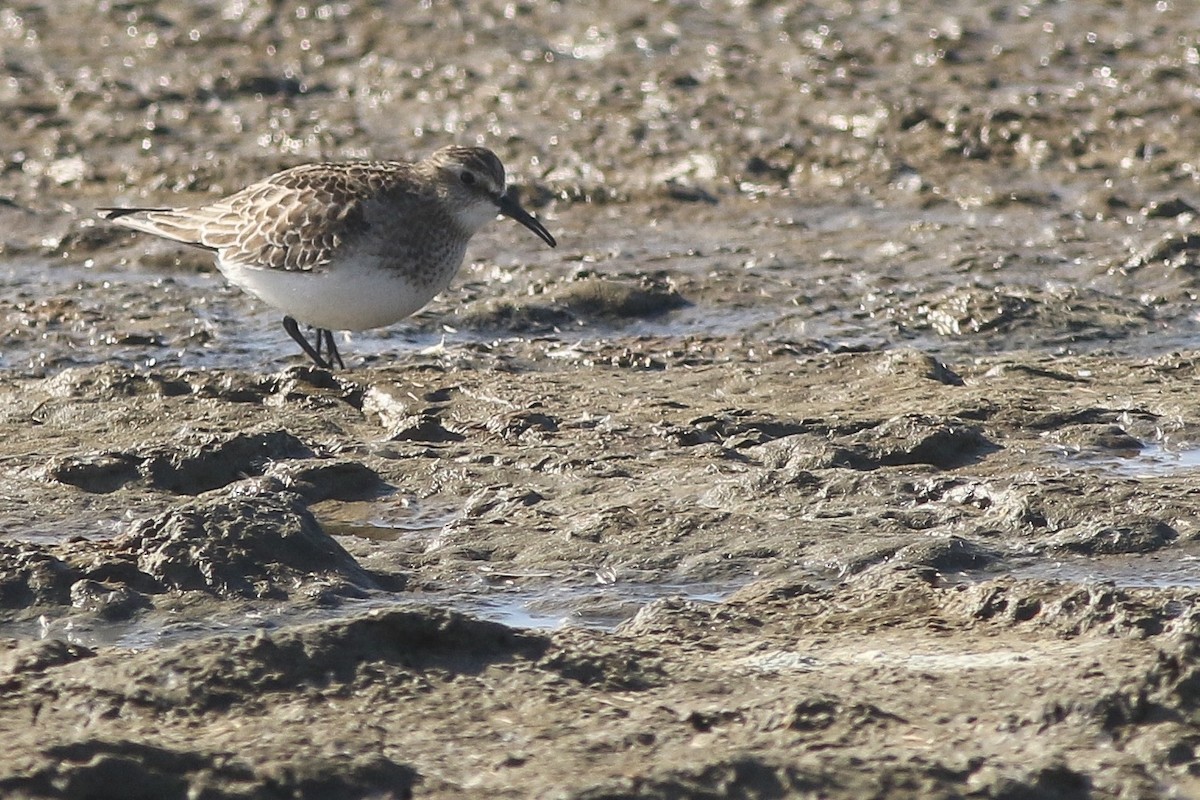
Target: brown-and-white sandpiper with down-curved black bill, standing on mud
[{"x": 346, "y": 246}]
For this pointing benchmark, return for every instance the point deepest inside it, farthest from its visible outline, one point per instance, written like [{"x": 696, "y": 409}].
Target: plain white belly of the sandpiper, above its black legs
[{"x": 351, "y": 298}]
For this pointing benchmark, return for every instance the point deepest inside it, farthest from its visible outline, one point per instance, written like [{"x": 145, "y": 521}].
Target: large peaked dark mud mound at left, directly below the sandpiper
[{"x": 257, "y": 542}]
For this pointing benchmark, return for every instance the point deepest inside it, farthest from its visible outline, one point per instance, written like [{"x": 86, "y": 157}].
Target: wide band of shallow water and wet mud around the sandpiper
[{"x": 951, "y": 282}]
